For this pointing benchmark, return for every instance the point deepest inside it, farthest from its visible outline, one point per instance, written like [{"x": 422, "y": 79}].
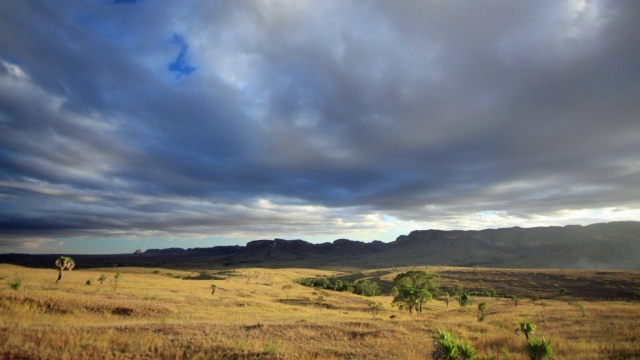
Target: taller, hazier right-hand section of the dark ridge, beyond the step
[{"x": 611, "y": 245}]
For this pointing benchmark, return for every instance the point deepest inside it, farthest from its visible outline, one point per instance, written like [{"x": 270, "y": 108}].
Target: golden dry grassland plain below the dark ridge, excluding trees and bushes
[{"x": 157, "y": 313}]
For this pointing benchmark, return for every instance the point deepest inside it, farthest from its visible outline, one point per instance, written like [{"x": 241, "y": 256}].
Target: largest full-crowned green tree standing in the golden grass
[{"x": 414, "y": 288}]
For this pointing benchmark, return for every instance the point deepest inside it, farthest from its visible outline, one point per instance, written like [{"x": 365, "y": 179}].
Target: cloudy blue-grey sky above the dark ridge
[{"x": 144, "y": 124}]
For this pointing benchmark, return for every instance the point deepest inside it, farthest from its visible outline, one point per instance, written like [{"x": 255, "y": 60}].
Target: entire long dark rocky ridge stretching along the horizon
[{"x": 613, "y": 245}]
